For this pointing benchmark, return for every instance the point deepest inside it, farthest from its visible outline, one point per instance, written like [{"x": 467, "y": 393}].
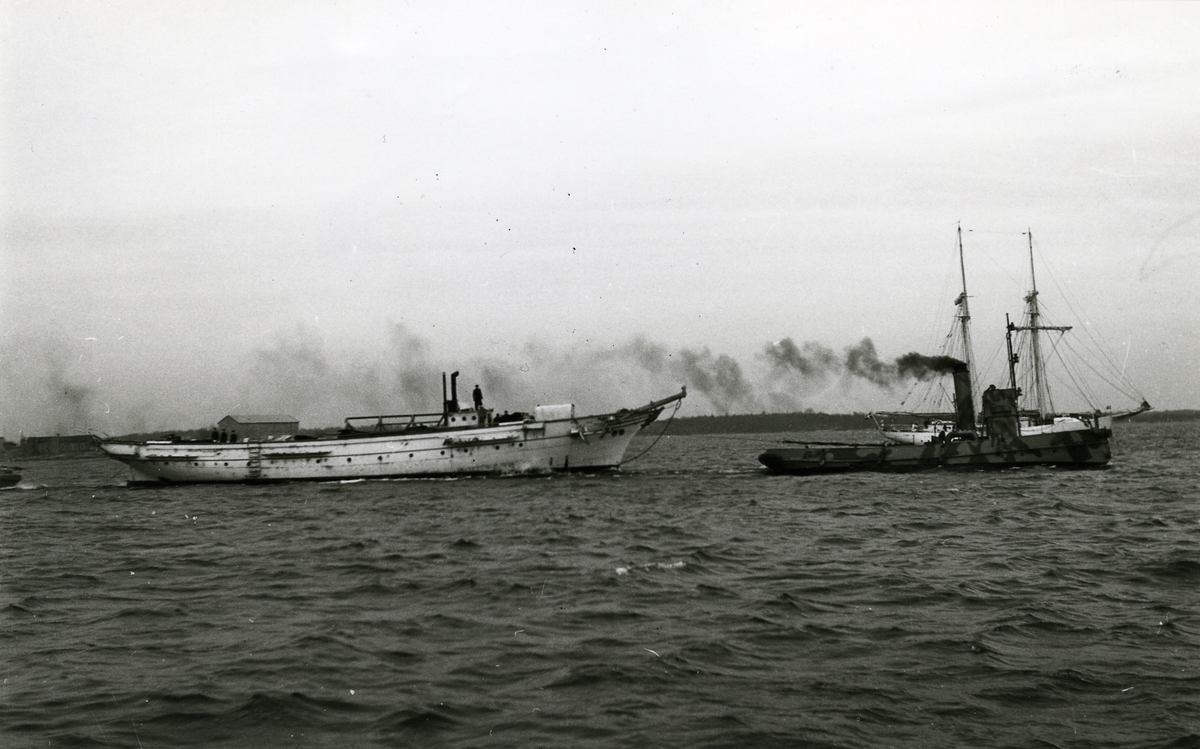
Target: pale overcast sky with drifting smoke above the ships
[{"x": 316, "y": 208}]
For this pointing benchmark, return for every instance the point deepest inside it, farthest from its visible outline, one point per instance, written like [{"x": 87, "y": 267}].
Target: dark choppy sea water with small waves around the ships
[{"x": 691, "y": 601}]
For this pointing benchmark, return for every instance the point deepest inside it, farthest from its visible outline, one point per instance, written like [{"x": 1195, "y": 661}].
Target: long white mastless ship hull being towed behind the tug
[{"x": 455, "y": 442}]
